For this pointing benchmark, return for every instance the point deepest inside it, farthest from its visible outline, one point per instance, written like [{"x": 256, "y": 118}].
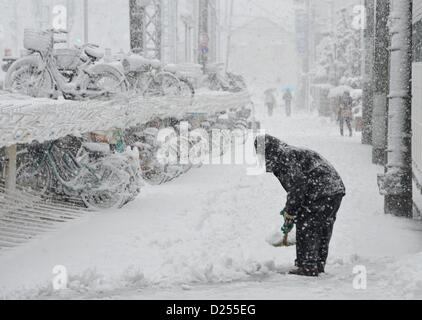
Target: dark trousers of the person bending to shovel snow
[{"x": 314, "y": 228}]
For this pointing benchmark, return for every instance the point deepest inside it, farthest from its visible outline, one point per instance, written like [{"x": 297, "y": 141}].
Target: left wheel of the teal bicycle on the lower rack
[{"x": 34, "y": 179}]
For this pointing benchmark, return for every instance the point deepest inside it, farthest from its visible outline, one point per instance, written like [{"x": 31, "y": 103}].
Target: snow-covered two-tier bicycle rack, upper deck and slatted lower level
[{"x": 23, "y": 215}]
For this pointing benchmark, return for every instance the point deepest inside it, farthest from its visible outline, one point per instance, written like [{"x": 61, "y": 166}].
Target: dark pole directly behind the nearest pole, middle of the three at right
[{"x": 381, "y": 82}]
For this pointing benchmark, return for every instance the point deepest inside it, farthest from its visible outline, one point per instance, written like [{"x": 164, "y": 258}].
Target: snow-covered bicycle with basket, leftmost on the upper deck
[{"x": 39, "y": 75}]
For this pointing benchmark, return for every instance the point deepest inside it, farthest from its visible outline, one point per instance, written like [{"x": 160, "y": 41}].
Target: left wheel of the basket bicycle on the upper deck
[{"x": 26, "y": 76}]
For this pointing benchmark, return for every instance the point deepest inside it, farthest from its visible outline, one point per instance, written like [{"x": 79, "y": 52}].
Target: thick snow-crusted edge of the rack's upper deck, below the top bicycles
[{"x": 24, "y": 120}]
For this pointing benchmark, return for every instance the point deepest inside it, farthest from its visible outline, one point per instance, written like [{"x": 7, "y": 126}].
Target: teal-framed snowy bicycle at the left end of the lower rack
[{"x": 101, "y": 179}]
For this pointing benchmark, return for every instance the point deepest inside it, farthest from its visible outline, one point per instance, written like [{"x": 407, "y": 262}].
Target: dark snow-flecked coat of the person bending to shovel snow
[{"x": 304, "y": 174}]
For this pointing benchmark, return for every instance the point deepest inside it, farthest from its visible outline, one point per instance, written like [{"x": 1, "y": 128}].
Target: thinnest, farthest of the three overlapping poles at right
[{"x": 368, "y": 75}]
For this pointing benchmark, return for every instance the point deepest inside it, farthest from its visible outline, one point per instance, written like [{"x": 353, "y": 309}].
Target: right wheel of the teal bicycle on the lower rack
[{"x": 111, "y": 192}]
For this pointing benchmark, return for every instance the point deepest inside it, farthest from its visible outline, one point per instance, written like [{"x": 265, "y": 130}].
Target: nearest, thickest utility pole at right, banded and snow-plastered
[{"x": 398, "y": 178}]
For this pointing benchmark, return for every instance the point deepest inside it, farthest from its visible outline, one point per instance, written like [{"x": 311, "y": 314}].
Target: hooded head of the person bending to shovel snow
[{"x": 273, "y": 150}]
